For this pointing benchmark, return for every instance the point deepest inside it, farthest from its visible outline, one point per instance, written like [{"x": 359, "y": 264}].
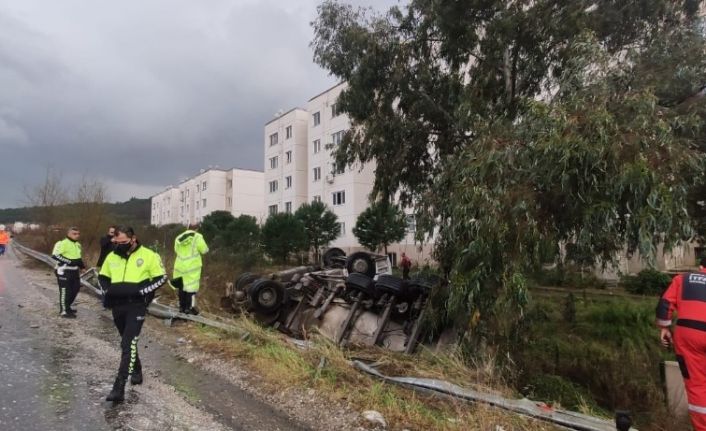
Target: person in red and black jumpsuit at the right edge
[{"x": 687, "y": 296}]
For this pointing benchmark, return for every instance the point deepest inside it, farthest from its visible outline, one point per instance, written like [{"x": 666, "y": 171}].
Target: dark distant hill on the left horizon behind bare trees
[{"x": 135, "y": 212}]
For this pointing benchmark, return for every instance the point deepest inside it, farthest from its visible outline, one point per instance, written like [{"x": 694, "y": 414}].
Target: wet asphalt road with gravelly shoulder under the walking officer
[{"x": 55, "y": 373}]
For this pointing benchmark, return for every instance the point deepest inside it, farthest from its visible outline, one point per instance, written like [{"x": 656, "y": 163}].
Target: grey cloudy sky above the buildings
[{"x": 139, "y": 94}]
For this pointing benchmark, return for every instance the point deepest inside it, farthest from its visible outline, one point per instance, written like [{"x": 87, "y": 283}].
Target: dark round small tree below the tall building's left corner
[{"x": 282, "y": 235}]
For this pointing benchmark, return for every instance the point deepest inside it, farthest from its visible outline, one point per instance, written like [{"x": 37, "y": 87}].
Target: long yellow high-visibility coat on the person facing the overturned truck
[{"x": 189, "y": 246}]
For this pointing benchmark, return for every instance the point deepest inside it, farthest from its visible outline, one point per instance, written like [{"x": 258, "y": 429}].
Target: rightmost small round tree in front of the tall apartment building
[{"x": 380, "y": 225}]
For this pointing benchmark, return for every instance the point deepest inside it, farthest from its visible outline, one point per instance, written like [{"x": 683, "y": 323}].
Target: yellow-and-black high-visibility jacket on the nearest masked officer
[{"x": 133, "y": 279}]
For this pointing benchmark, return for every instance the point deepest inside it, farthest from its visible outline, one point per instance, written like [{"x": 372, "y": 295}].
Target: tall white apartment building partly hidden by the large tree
[{"x": 305, "y": 155}]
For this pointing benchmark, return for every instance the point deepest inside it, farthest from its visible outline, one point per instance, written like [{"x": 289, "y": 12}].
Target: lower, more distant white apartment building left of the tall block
[{"x": 235, "y": 190}]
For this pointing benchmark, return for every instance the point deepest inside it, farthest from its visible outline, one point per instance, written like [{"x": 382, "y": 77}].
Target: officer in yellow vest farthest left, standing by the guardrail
[{"x": 67, "y": 253}]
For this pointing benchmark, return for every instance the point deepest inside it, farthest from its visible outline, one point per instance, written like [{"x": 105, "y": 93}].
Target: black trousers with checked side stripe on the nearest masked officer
[{"x": 128, "y": 318}]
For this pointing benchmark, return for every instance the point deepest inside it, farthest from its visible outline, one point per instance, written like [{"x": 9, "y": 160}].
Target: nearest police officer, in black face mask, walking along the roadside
[{"x": 129, "y": 276}]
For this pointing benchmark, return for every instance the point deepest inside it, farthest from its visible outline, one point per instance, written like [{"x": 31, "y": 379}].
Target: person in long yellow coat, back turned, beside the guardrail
[{"x": 189, "y": 246}]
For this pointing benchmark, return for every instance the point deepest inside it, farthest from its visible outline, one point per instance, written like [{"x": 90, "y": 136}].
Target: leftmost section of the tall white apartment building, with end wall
[{"x": 285, "y": 170}]
